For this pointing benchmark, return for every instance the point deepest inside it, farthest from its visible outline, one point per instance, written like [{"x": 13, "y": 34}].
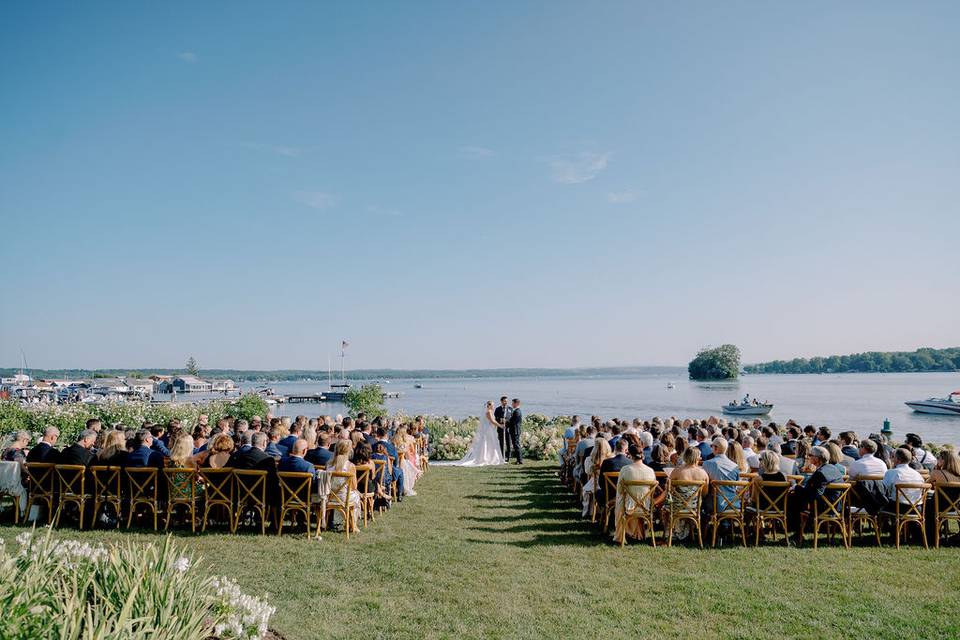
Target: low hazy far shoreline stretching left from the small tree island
[{"x": 358, "y": 374}]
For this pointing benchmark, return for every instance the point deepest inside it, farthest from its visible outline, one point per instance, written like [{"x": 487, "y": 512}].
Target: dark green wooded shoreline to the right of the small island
[{"x": 925, "y": 359}]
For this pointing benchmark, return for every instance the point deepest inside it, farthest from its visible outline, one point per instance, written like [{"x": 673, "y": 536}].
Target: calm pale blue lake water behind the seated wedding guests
[{"x": 841, "y": 401}]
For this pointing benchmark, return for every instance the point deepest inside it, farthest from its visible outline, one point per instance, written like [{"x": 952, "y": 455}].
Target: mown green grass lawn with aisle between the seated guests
[{"x": 501, "y": 553}]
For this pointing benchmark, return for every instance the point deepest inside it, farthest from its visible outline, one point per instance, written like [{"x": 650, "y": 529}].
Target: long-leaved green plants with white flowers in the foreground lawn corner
[{"x": 52, "y": 588}]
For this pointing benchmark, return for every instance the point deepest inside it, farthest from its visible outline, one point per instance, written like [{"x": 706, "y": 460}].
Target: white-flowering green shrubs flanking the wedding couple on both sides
[{"x": 541, "y": 436}]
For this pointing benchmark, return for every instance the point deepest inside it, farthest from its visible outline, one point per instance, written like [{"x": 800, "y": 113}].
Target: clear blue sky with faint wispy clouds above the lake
[{"x": 475, "y": 184}]
